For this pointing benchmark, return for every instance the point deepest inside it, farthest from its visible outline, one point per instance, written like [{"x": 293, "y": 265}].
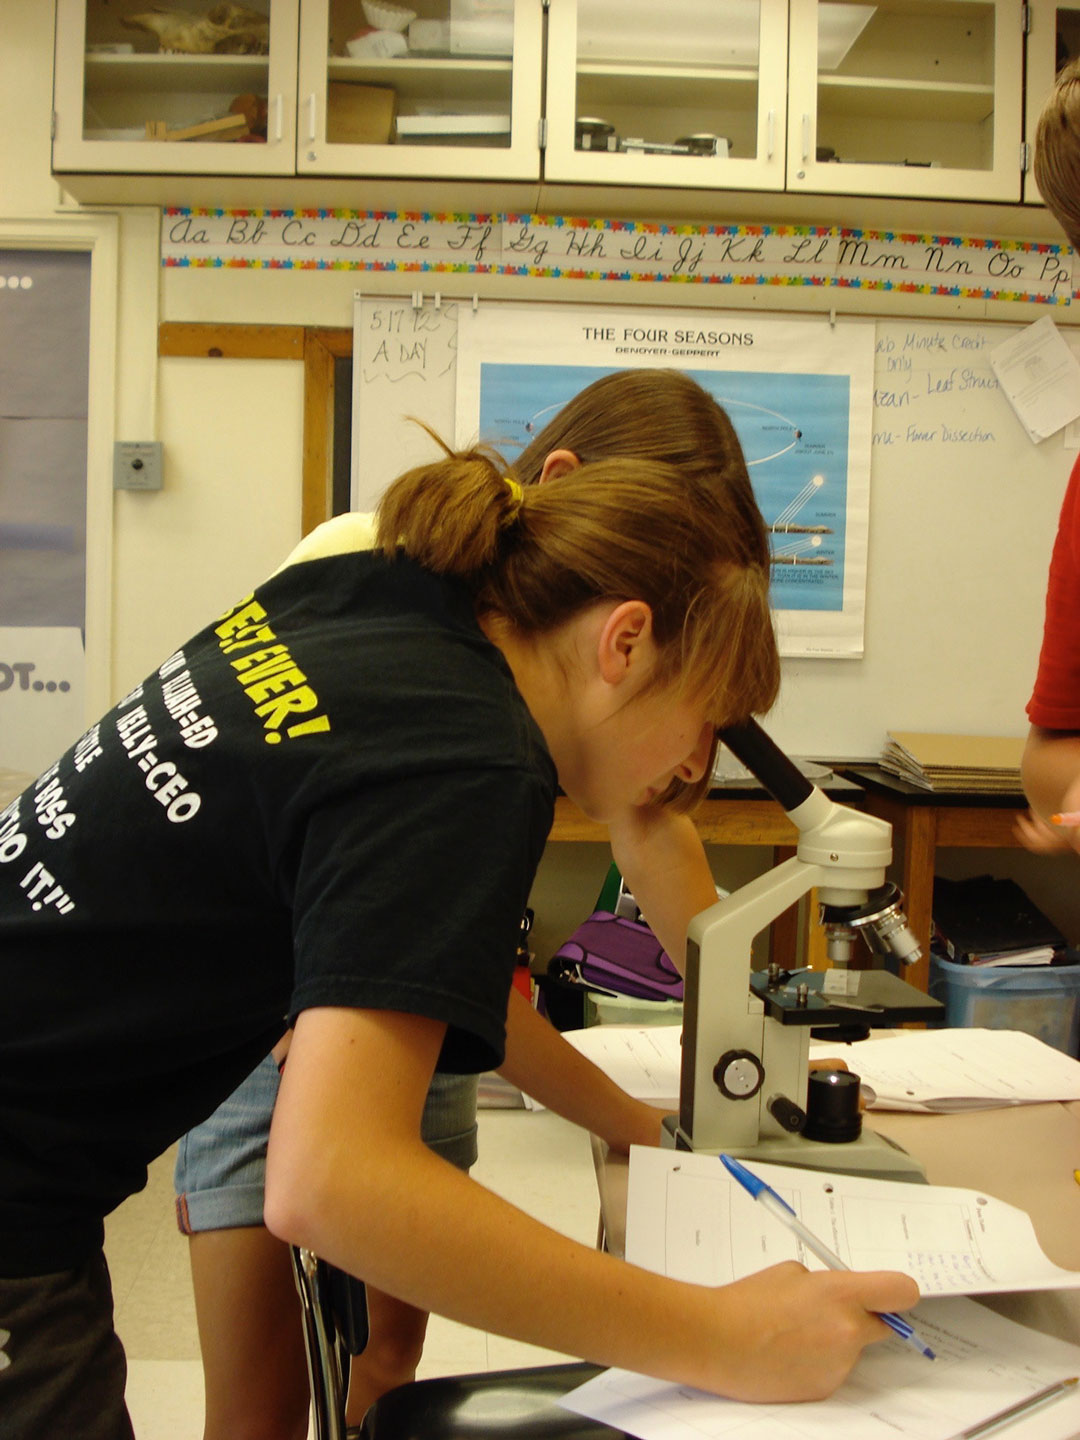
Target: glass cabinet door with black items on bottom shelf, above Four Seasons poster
[{"x": 683, "y": 93}]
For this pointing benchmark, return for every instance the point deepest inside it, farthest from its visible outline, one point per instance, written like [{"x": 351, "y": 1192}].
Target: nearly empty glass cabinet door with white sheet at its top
[{"x": 906, "y": 97}]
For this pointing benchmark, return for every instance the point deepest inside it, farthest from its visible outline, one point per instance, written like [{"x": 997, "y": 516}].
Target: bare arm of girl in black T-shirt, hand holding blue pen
[{"x": 349, "y": 1179}]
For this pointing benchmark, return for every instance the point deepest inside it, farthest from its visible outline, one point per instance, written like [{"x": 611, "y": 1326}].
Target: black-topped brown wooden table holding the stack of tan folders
[{"x": 925, "y": 823}]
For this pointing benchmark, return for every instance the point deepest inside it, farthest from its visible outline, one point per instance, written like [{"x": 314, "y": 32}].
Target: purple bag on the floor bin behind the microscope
[{"x": 610, "y": 953}]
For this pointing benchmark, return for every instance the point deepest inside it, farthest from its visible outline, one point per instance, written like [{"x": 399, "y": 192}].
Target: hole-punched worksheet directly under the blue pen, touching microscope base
[{"x": 689, "y": 1219}]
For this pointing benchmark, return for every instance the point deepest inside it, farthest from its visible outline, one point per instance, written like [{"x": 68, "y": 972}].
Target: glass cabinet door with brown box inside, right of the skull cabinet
[{"x": 437, "y": 89}]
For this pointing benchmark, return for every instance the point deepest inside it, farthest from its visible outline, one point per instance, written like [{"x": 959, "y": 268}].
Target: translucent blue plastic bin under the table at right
[{"x": 1040, "y": 1000}]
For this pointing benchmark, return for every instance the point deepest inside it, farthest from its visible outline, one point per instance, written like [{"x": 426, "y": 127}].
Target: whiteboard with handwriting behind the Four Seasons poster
[{"x": 963, "y": 516}]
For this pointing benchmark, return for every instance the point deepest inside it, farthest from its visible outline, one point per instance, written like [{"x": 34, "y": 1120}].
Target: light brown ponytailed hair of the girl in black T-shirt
[{"x": 692, "y": 546}]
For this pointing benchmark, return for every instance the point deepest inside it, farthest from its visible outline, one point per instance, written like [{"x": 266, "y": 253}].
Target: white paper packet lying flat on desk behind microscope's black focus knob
[{"x": 963, "y": 1069}]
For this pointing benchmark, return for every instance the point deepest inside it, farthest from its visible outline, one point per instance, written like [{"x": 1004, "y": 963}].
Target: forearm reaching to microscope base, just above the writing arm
[{"x": 544, "y": 1065}]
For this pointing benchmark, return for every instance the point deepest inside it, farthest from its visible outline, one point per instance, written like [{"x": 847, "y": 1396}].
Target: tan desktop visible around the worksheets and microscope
[{"x": 1025, "y": 1156}]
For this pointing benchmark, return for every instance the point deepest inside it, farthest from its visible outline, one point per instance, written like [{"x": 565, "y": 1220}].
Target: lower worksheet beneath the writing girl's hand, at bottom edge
[{"x": 984, "y": 1364}]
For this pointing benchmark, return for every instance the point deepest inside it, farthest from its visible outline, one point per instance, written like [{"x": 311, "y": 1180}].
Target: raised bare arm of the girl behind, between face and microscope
[{"x": 662, "y": 859}]
